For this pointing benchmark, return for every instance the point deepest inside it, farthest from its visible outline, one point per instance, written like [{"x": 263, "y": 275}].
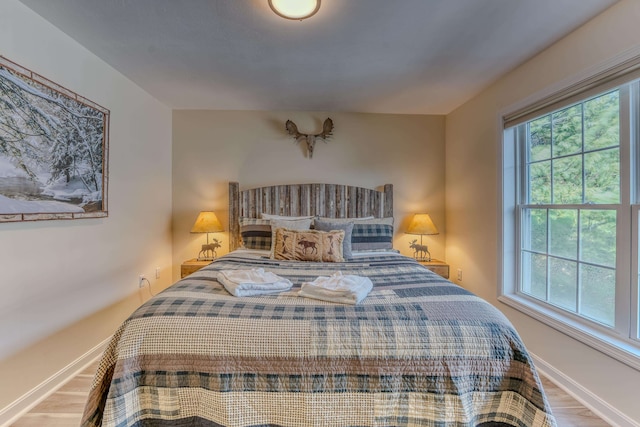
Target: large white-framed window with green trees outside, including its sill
[{"x": 570, "y": 205}]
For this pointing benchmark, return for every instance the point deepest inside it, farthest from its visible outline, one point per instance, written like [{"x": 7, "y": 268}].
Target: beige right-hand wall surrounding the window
[{"x": 472, "y": 157}]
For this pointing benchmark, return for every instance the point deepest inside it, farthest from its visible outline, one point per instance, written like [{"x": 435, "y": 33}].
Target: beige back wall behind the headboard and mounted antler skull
[{"x": 212, "y": 148}]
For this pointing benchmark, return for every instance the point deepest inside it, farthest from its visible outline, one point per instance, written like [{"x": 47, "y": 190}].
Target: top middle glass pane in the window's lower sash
[{"x": 563, "y": 233}]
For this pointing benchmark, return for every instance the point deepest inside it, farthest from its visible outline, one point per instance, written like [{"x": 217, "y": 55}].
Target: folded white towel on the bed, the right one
[{"x": 345, "y": 289}]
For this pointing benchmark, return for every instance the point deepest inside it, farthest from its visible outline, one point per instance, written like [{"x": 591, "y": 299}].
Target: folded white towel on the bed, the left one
[{"x": 250, "y": 282}]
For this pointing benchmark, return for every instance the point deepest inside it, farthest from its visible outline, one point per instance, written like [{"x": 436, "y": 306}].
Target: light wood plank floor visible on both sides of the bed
[{"x": 64, "y": 407}]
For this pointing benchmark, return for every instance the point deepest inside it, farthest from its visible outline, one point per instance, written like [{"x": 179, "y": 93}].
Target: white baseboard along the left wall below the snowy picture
[{"x": 15, "y": 410}]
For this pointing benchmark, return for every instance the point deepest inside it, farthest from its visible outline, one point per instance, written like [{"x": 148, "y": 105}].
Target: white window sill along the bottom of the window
[{"x": 622, "y": 350}]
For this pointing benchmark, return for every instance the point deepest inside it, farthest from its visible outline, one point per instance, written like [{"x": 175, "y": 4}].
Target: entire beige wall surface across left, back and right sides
[{"x": 57, "y": 307}]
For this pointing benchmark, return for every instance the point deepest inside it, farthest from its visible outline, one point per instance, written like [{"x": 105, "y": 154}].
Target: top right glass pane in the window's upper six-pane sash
[{"x": 602, "y": 121}]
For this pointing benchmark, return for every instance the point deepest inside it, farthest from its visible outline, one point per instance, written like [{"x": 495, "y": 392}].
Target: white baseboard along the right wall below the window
[{"x": 593, "y": 402}]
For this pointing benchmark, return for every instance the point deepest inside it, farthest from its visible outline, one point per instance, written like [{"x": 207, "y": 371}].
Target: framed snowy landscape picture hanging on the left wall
[{"x": 53, "y": 149}]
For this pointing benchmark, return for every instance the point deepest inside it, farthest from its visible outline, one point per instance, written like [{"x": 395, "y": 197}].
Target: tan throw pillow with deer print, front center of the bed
[{"x": 312, "y": 245}]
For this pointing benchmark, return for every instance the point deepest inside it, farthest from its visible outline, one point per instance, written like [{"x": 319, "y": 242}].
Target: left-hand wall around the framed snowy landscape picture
[{"x": 77, "y": 280}]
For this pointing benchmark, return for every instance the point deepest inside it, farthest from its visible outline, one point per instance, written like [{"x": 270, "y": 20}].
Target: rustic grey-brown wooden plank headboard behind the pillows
[{"x": 328, "y": 200}]
